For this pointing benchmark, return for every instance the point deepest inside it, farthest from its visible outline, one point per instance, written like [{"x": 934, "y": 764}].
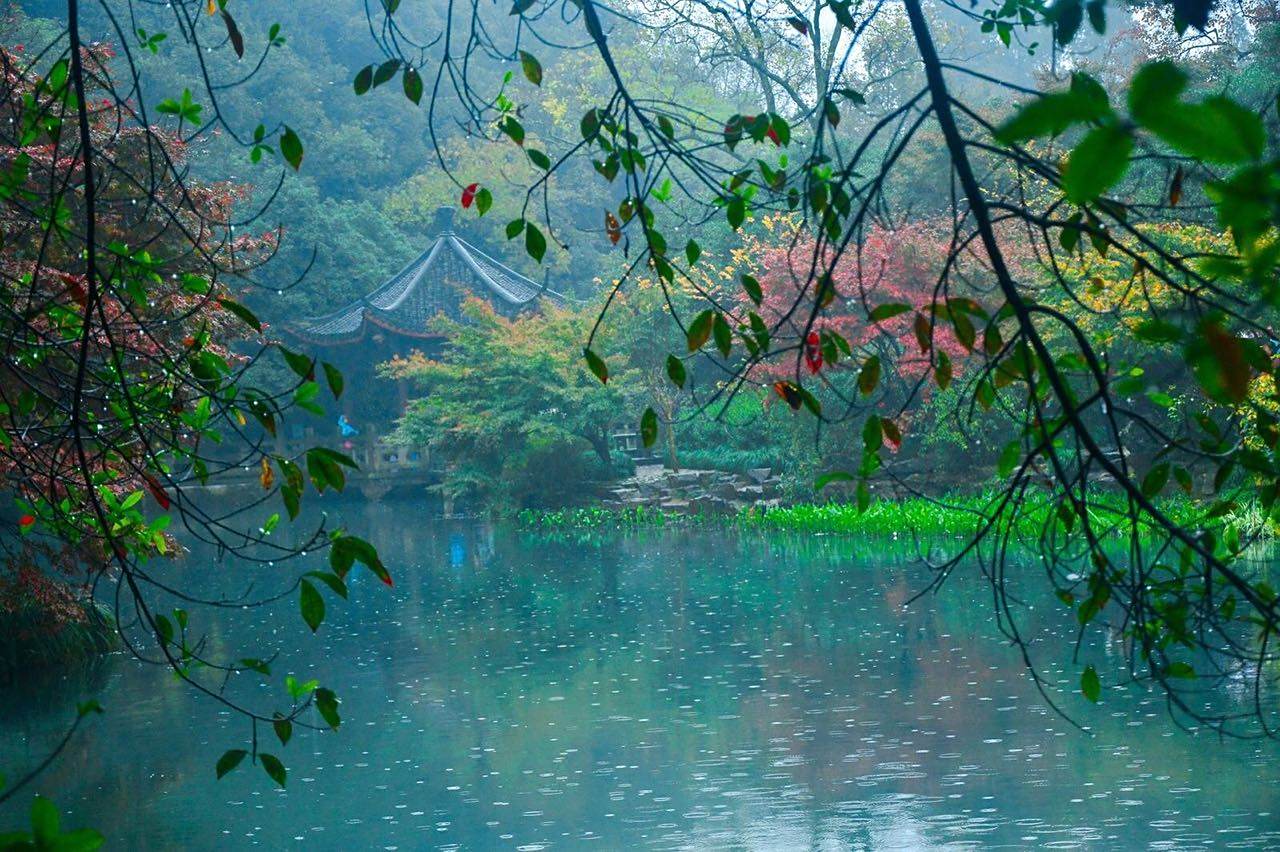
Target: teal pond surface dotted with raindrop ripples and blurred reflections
[{"x": 678, "y": 690}]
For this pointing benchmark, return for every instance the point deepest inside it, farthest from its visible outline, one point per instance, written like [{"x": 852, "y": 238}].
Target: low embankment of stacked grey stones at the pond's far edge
[{"x": 693, "y": 492}]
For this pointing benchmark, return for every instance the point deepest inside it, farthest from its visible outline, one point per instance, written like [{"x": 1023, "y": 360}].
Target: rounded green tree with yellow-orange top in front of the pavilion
[{"x": 510, "y": 409}]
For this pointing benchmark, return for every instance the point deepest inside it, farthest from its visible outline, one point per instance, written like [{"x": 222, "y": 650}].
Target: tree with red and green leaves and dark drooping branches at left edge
[{"x": 121, "y": 396}]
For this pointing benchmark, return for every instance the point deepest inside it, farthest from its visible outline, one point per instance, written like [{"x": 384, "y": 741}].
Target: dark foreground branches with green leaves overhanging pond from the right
[{"x": 1191, "y": 610}]
